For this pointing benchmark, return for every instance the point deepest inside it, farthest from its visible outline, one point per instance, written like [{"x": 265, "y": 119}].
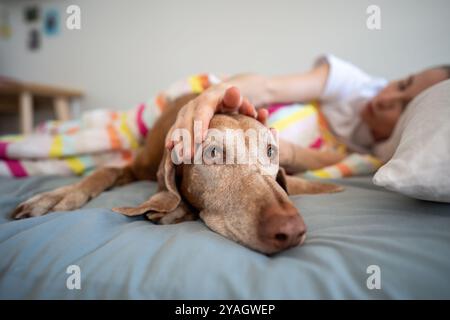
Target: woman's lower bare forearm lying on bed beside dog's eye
[{"x": 296, "y": 159}]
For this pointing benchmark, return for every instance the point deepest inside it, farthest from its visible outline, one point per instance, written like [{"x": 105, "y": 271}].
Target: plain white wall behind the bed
[{"x": 128, "y": 50}]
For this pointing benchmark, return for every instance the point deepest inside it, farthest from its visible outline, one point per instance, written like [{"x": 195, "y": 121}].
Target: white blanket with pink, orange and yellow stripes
[{"x": 111, "y": 138}]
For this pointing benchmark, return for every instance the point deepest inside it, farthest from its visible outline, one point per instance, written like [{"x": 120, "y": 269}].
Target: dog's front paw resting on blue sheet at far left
[{"x": 61, "y": 199}]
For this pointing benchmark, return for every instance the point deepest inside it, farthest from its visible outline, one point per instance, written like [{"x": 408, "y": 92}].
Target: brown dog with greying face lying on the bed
[{"x": 237, "y": 200}]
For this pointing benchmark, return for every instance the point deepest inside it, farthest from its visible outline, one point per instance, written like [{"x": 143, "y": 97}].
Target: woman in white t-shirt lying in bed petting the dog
[{"x": 361, "y": 110}]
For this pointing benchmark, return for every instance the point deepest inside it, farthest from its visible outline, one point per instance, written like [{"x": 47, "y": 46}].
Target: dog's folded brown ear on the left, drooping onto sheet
[{"x": 165, "y": 206}]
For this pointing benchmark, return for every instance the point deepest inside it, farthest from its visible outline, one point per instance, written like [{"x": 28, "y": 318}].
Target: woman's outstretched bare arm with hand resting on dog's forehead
[{"x": 243, "y": 92}]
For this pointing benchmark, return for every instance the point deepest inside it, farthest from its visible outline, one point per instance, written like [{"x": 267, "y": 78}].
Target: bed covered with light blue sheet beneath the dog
[{"x": 131, "y": 258}]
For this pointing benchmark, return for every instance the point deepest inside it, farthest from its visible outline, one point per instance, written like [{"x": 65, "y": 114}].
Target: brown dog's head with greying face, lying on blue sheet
[{"x": 242, "y": 198}]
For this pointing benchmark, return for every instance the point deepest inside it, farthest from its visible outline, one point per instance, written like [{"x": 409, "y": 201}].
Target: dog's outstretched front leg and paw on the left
[{"x": 75, "y": 195}]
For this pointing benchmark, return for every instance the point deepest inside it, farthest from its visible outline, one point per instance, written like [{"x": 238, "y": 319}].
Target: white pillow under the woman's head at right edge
[{"x": 420, "y": 165}]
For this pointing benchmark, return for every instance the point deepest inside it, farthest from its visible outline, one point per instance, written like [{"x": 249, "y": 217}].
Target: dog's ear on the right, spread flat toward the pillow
[{"x": 296, "y": 185}]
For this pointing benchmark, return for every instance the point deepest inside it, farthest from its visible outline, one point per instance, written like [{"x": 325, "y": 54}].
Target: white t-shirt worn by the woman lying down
[{"x": 346, "y": 93}]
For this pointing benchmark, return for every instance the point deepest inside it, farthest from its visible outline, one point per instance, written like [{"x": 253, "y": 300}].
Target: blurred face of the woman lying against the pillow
[{"x": 383, "y": 111}]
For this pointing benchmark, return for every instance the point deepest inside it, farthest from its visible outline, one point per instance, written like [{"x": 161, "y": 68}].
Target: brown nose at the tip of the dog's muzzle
[{"x": 281, "y": 227}]
